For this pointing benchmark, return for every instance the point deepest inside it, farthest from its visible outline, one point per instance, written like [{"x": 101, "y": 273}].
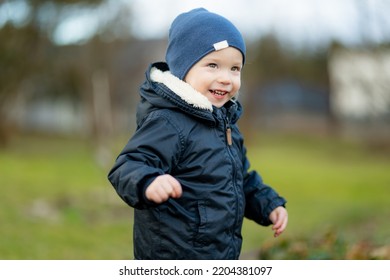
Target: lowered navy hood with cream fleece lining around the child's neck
[{"x": 161, "y": 89}]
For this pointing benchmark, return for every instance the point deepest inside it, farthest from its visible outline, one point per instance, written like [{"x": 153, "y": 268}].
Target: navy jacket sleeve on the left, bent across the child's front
[{"x": 152, "y": 151}]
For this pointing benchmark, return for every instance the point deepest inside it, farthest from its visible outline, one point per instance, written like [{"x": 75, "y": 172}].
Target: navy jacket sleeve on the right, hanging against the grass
[{"x": 261, "y": 199}]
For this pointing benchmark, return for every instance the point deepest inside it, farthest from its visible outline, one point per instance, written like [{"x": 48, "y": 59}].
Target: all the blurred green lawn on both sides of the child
[{"x": 56, "y": 203}]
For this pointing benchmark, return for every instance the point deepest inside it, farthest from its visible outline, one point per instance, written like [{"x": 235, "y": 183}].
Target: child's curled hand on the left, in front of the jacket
[{"x": 162, "y": 188}]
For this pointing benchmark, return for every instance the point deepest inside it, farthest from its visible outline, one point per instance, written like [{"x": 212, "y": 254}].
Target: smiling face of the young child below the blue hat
[{"x": 217, "y": 75}]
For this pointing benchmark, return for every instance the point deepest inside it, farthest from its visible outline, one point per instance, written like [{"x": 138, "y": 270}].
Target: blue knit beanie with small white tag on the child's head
[{"x": 197, "y": 33}]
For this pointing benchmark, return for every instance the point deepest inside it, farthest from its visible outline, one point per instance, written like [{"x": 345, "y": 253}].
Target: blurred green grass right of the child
[{"x": 332, "y": 187}]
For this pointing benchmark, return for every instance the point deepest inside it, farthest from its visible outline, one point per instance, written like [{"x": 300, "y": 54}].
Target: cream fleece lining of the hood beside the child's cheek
[{"x": 181, "y": 89}]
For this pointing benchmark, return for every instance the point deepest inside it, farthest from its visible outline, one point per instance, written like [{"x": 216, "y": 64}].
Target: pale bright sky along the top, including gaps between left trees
[{"x": 299, "y": 22}]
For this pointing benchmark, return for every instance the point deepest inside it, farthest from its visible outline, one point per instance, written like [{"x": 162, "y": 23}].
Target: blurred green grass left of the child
[{"x": 55, "y": 203}]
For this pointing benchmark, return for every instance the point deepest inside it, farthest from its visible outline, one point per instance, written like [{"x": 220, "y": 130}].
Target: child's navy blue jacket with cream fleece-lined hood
[{"x": 179, "y": 132}]
